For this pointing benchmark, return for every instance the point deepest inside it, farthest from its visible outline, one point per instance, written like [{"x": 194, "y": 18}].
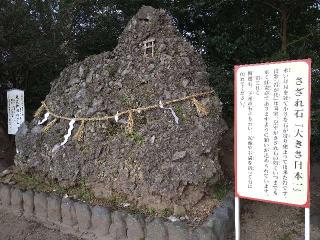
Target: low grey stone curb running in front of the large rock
[{"x": 100, "y": 223}]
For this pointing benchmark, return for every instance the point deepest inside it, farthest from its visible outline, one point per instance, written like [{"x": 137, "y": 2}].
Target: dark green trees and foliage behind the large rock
[{"x": 39, "y": 38}]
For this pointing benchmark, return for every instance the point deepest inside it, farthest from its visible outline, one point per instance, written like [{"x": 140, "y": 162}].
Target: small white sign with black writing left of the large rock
[{"x": 16, "y": 110}]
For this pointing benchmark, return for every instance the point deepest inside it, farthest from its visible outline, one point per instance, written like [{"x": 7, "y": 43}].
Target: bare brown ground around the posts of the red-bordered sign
[{"x": 262, "y": 221}]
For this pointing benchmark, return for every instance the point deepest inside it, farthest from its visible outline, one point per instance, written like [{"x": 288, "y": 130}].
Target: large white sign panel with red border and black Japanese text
[{"x": 272, "y": 132}]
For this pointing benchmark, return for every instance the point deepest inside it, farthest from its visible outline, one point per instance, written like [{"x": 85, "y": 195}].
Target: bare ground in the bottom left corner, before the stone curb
[{"x": 18, "y": 228}]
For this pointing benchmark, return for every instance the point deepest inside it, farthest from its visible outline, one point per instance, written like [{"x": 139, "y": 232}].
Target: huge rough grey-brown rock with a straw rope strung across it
[{"x": 161, "y": 163}]
